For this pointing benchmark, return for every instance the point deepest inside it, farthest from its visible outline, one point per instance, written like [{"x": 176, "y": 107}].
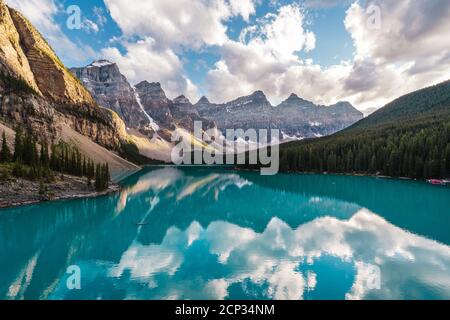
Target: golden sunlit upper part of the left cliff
[{"x": 26, "y": 55}]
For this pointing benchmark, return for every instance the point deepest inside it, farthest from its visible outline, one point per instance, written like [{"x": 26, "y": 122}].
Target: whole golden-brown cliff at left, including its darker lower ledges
[{"x": 37, "y": 90}]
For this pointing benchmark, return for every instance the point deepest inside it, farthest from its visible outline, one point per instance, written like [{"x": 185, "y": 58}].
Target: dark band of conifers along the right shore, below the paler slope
[{"x": 419, "y": 152}]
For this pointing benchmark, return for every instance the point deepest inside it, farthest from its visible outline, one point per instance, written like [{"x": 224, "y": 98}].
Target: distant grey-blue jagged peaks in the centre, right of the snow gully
[{"x": 295, "y": 117}]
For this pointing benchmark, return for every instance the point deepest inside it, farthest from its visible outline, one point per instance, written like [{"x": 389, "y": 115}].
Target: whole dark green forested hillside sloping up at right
[{"x": 409, "y": 137}]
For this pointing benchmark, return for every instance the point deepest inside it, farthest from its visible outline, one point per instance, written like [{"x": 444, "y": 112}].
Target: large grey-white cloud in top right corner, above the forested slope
[{"x": 409, "y": 51}]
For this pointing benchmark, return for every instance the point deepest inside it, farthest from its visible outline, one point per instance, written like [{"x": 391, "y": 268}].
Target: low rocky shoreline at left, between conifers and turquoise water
[{"x": 20, "y": 192}]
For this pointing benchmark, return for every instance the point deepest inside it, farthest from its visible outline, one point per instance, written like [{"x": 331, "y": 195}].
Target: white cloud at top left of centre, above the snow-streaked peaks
[{"x": 168, "y": 27}]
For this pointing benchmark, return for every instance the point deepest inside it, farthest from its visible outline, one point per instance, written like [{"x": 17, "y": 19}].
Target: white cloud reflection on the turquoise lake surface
[{"x": 278, "y": 261}]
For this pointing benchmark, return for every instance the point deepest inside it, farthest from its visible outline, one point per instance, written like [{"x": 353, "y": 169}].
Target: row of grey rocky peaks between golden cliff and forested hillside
[{"x": 295, "y": 118}]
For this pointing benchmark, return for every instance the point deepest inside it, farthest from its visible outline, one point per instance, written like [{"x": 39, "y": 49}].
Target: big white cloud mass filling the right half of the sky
[{"x": 411, "y": 50}]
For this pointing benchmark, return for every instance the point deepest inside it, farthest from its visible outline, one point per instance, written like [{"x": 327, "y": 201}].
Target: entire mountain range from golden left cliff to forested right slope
[{"x": 96, "y": 108}]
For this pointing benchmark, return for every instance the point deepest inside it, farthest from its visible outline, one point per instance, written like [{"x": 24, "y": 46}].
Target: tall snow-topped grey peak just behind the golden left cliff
[{"x": 111, "y": 90}]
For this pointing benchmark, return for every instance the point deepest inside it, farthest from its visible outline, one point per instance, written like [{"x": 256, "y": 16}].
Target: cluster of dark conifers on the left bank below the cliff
[{"x": 33, "y": 163}]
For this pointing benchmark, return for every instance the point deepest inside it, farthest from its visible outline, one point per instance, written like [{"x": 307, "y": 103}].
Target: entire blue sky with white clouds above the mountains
[{"x": 367, "y": 52}]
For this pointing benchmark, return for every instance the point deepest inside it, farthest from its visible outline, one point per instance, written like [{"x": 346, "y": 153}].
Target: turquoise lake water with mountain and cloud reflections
[{"x": 204, "y": 233}]
